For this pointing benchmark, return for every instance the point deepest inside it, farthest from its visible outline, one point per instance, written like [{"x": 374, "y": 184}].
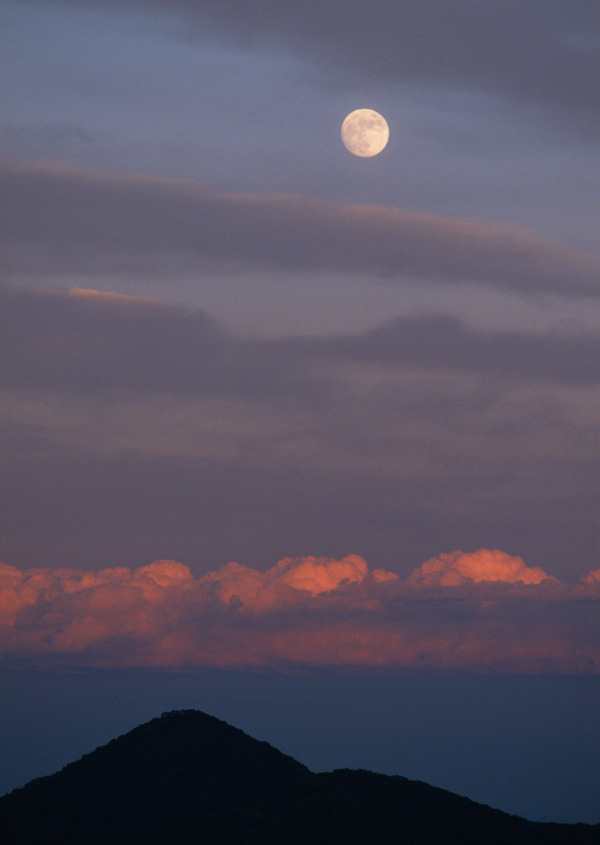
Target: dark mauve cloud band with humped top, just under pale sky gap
[{"x": 86, "y": 342}]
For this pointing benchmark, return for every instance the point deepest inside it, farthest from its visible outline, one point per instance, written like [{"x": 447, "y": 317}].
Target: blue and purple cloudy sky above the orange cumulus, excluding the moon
[{"x": 224, "y": 338}]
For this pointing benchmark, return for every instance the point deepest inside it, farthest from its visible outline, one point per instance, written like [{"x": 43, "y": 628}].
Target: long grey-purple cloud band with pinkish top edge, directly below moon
[{"x": 62, "y": 221}]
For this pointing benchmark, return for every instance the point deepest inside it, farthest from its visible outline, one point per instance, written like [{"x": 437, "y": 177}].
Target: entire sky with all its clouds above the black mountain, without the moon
[{"x": 282, "y": 424}]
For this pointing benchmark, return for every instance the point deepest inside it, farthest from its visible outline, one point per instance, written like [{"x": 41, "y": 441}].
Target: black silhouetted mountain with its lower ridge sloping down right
[{"x": 188, "y": 777}]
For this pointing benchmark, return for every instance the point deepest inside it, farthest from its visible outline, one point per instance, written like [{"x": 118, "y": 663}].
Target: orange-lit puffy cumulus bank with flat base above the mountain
[{"x": 483, "y": 611}]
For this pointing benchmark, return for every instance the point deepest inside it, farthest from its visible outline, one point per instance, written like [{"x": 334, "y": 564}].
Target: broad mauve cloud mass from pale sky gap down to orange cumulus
[{"x": 154, "y": 419}]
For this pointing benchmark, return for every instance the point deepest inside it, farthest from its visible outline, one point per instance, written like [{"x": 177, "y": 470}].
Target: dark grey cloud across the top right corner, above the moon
[{"x": 543, "y": 52}]
